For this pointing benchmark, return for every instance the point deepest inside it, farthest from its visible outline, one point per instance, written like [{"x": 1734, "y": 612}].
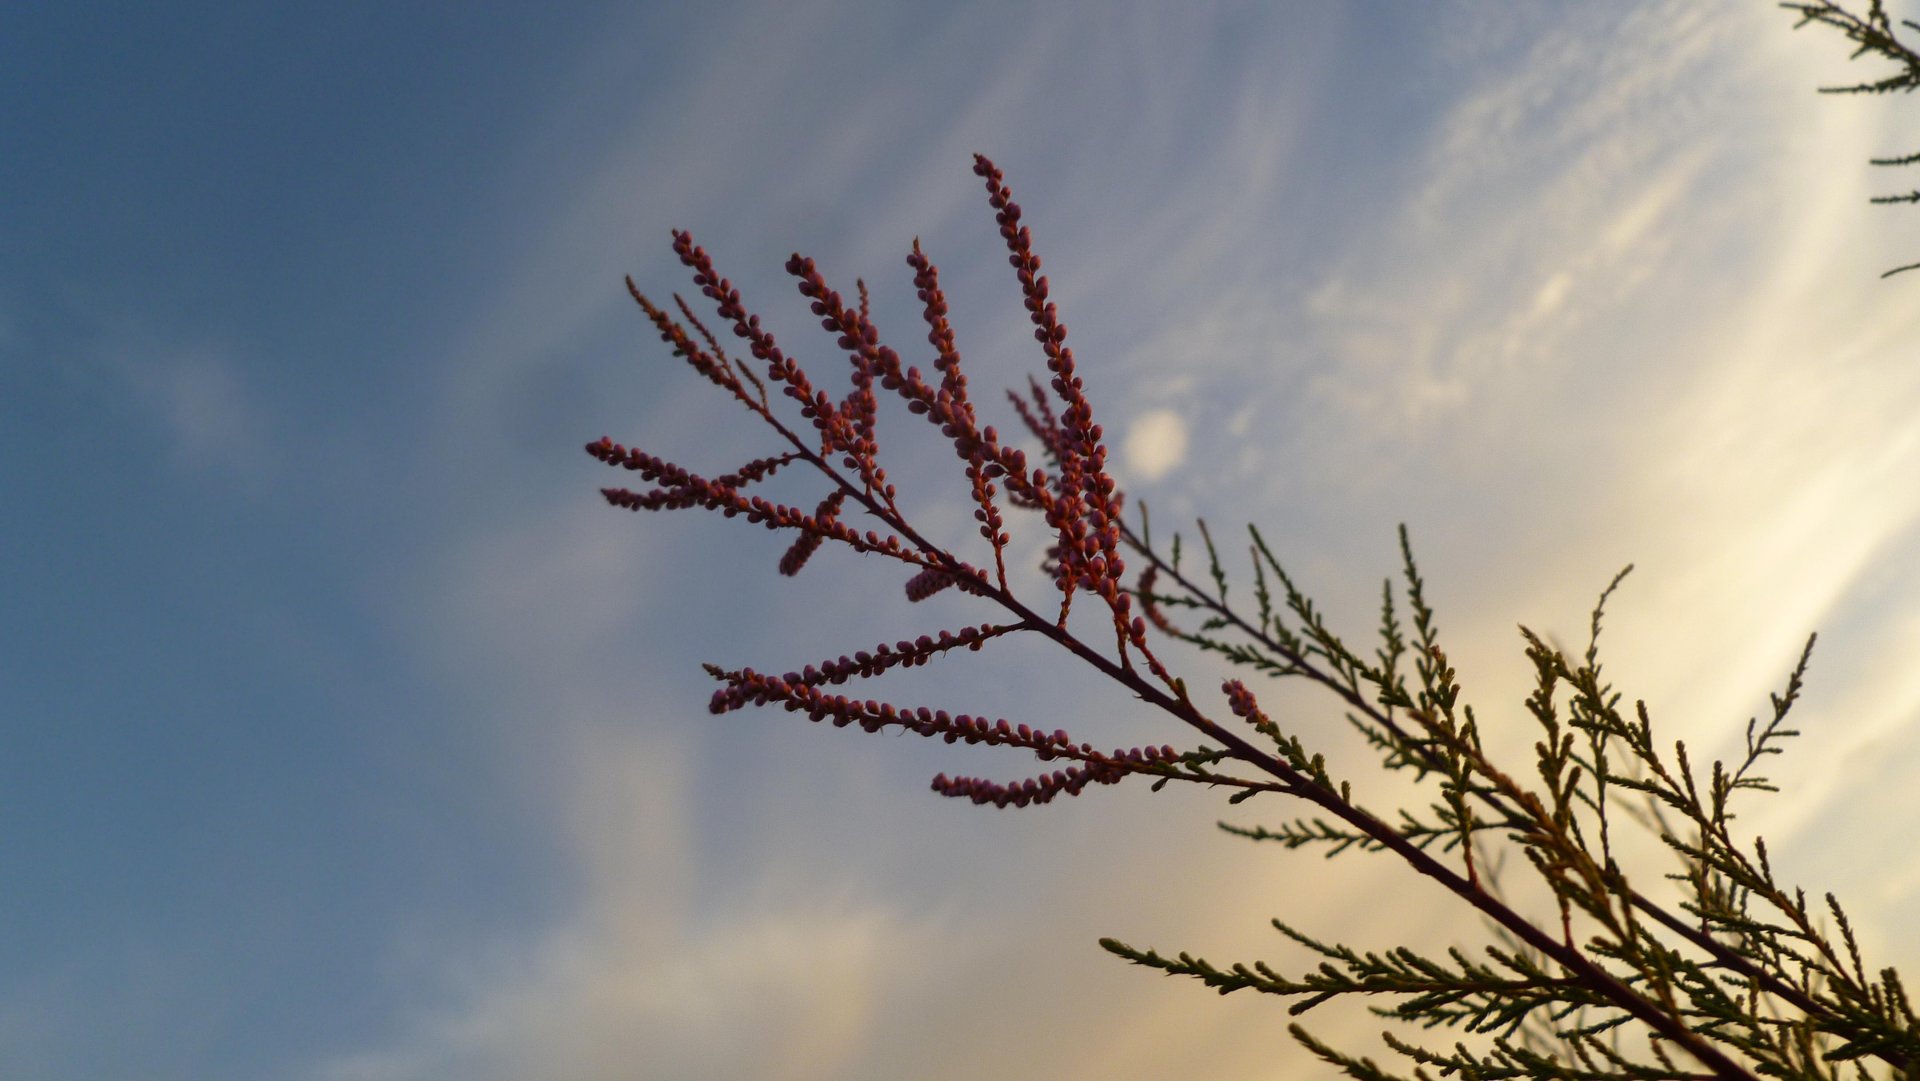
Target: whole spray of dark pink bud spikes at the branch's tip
[{"x": 1080, "y": 500}]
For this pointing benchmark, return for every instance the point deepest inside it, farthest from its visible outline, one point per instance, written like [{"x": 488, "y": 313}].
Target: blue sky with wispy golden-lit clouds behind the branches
[{"x": 348, "y": 736}]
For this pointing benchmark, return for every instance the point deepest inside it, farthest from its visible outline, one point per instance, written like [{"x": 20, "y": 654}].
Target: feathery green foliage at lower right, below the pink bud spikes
[{"x": 1731, "y": 971}]
